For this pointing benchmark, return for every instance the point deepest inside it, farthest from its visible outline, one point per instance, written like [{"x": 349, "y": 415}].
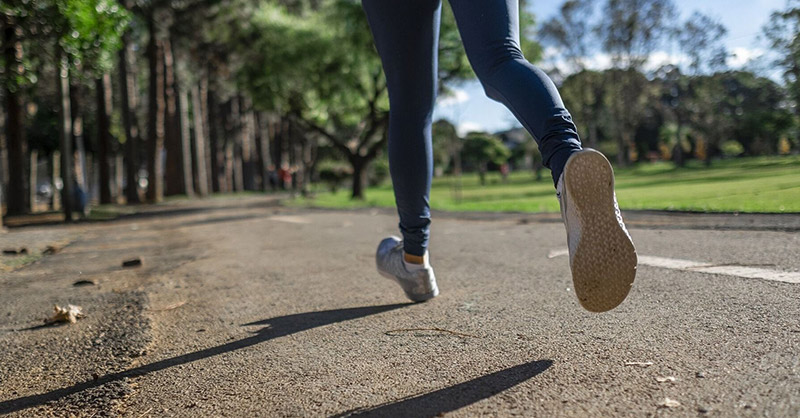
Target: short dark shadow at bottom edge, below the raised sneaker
[{"x": 454, "y": 397}]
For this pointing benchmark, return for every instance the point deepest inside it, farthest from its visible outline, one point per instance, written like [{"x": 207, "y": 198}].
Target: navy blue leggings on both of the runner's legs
[{"x": 406, "y": 35}]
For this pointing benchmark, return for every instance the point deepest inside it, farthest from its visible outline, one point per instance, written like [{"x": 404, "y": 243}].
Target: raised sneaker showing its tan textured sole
[{"x": 601, "y": 253}]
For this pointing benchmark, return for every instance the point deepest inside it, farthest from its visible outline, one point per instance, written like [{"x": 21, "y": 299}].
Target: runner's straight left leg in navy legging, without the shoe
[{"x": 406, "y": 35}]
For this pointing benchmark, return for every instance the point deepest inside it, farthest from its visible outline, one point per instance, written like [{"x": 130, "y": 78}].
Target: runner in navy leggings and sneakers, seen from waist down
[{"x": 602, "y": 256}]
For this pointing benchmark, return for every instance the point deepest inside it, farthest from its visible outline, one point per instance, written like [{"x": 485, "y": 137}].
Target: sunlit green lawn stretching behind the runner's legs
[{"x": 759, "y": 184}]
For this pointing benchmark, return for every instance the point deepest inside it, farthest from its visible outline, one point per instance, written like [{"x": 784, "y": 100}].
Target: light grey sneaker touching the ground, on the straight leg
[{"x": 419, "y": 284}]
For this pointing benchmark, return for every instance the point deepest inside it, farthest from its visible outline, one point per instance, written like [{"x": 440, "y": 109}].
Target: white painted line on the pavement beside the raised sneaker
[{"x": 710, "y": 268}]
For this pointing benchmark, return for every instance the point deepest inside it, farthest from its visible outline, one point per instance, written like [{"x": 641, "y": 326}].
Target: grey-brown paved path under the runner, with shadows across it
[{"x": 243, "y": 308}]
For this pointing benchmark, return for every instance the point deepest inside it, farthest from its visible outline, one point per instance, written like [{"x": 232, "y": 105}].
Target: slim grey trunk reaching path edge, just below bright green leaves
[{"x": 65, "y": 135}]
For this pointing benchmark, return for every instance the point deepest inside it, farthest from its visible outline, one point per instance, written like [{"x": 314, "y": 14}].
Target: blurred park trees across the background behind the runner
[{"x": 122, "y": 101}]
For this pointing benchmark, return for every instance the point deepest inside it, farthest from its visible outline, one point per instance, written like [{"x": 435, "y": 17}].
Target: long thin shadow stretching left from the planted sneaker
[{"x": 277, "y": 327}]
